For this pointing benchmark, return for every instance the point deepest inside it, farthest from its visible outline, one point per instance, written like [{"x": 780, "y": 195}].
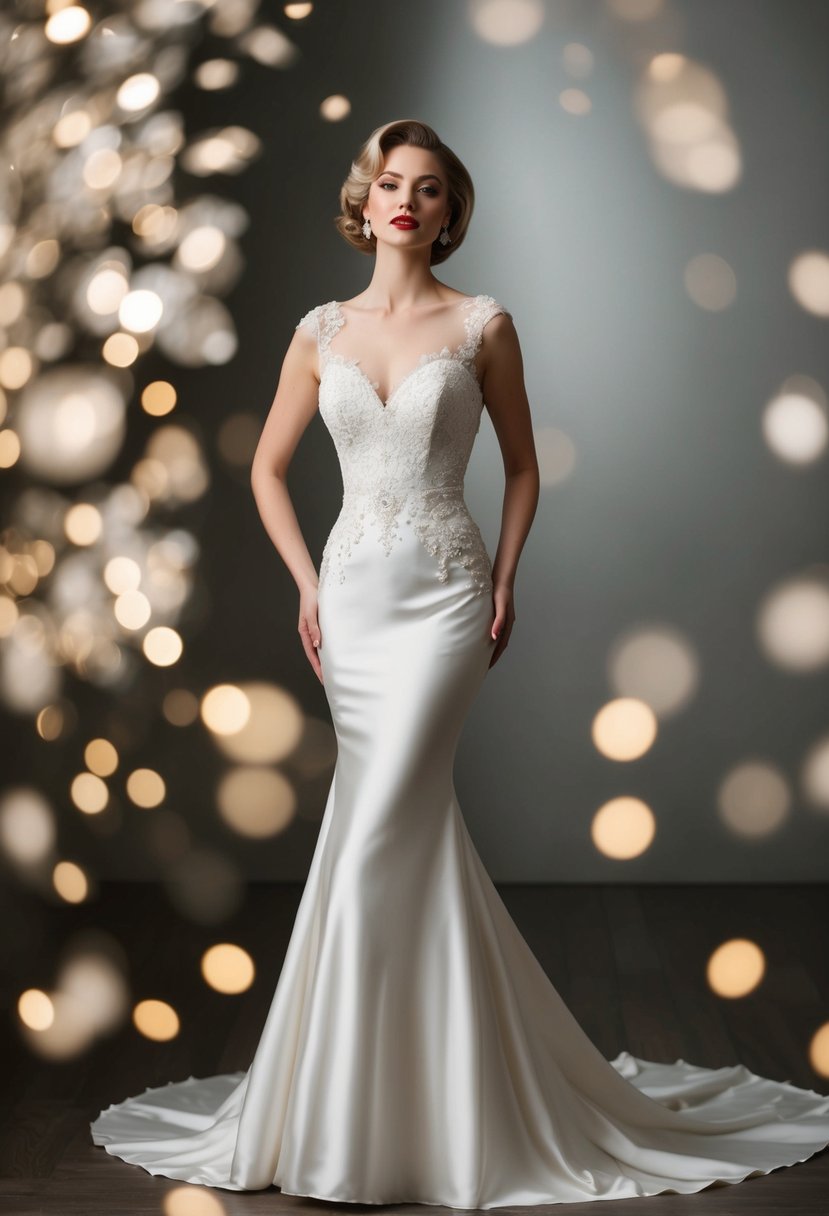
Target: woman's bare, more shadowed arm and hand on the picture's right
[{"x": 510, "y": 409}]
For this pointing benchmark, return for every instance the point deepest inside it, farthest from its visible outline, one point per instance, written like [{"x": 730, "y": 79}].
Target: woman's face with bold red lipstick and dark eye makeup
[{"x": 413, "y": 183}]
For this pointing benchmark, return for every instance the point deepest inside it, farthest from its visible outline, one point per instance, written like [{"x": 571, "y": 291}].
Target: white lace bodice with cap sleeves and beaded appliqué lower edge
[{"x": 405, "y": 459}]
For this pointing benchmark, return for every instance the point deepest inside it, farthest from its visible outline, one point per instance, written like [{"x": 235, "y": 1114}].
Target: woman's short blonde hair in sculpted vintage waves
[{"x": 368, "y": 167}]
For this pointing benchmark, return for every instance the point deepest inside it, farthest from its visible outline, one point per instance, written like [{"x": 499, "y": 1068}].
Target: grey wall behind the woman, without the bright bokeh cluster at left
[{"x": 676, "y": 515}]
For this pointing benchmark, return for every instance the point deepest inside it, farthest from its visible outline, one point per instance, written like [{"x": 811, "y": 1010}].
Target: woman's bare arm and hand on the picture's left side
[{"x": 294, "y": 407}]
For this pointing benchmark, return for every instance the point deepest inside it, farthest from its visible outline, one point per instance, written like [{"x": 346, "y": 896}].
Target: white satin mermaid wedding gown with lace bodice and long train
[{"x": 415, "y": 1050}]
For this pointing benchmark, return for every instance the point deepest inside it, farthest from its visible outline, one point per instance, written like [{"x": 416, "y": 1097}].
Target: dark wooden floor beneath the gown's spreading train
[{"x": 630, "y": 962}]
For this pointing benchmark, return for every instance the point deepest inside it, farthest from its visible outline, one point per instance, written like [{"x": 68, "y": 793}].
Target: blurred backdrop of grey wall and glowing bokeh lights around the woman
[{"x": 652, "y": 207}]
